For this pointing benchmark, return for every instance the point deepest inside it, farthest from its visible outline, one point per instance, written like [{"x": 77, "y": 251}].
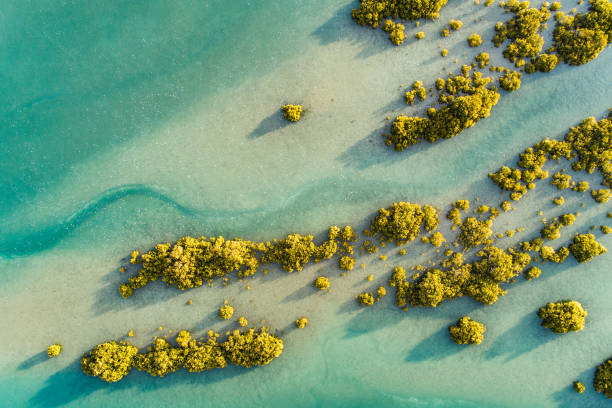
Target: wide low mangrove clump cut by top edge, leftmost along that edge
[{"x": 373, "y": 12}]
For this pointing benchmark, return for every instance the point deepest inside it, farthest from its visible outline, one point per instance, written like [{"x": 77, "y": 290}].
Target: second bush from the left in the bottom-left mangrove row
[{"x": 161, "y": 359}]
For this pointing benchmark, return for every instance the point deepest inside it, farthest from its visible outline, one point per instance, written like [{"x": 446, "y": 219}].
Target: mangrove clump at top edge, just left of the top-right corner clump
[{"x": 522, "y": 30}]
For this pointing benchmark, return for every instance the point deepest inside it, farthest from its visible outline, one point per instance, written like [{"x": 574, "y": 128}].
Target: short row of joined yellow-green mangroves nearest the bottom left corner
[{"x": 111, "y": 361}]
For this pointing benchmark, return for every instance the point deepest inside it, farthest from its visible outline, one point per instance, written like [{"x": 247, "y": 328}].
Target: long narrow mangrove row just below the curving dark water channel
[{"x": 191, "y": 262}]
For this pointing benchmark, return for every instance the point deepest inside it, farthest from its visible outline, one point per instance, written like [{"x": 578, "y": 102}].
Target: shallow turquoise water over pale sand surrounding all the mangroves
[{"x": 128, "y": 124}]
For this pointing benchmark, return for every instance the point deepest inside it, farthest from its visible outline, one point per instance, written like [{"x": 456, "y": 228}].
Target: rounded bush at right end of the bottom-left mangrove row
[{"x": 252, "y": 348}]
